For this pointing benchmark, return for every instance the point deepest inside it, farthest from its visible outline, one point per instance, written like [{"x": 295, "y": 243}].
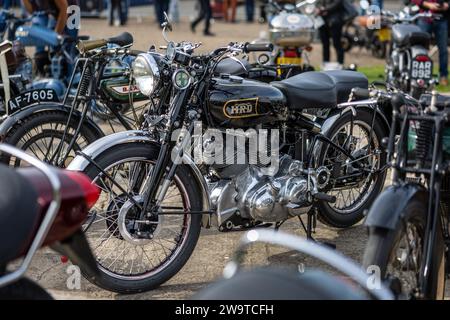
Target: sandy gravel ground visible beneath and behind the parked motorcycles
[{"x": 214, "y": 248}]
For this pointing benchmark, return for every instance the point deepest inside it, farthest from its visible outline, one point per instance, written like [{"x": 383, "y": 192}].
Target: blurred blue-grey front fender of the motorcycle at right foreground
[{"x": 386, "y": 212}]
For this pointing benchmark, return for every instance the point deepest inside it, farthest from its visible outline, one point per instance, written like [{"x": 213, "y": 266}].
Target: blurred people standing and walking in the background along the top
[{"x": 331, "y": 11}]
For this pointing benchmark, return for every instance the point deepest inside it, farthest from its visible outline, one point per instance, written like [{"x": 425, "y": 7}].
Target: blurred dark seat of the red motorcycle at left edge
[{"x": 18, "y": 214}]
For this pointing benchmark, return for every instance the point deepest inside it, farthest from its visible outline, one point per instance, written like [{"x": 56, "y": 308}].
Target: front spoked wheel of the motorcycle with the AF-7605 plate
[{"x": 43, "y": 136}]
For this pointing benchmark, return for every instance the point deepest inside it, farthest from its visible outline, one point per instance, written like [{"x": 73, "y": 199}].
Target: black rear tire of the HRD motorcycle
[{"x": 331, "y": 216}]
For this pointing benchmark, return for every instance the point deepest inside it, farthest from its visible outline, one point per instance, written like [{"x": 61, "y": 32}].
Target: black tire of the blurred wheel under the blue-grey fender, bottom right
[{"x": 382, "y": 242}]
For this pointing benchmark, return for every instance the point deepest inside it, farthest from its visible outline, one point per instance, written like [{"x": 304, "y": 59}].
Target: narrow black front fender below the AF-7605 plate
[{"x": 21, "y": 115}]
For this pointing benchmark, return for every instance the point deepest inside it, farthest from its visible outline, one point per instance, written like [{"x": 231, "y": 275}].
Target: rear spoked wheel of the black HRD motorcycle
[{"x": 354, "y": 183}]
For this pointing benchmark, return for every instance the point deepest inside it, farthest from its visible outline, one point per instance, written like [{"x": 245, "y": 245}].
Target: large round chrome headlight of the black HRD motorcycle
[{"x": 146, "y": 73}]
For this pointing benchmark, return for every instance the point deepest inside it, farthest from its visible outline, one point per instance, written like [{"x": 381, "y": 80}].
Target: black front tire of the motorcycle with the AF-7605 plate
[{"x": 19, "y": 134}]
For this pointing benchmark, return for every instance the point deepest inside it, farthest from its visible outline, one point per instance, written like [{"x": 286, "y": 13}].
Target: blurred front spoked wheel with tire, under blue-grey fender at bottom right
[{"x": 399, "y": 254}]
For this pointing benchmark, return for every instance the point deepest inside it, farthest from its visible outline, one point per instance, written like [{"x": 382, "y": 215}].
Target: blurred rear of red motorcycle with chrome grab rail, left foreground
[{"x": 40, "y": 206}]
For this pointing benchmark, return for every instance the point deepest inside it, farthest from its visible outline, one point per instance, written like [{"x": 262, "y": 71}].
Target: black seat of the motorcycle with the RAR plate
[{"x": 410, "y": 34}]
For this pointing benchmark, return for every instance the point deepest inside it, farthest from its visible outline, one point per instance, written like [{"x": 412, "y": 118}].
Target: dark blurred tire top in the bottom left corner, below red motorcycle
[{"x": 24, "y": 289}]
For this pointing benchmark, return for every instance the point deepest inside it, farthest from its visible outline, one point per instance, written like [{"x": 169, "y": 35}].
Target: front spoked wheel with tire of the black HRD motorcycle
[{"x": 135, "y": 251}]
